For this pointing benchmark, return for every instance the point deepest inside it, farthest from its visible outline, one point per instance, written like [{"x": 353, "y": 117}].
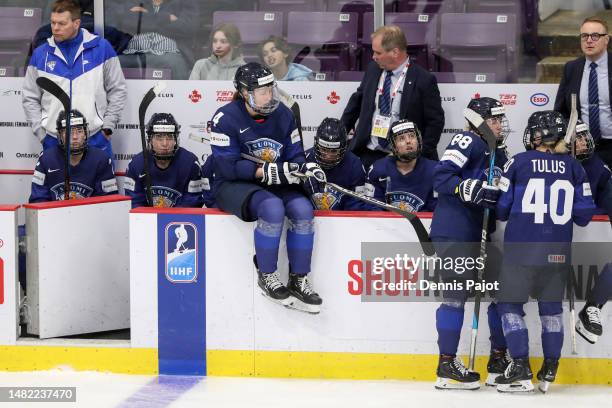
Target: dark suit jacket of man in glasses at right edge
[{"x": 570, "y": 83}]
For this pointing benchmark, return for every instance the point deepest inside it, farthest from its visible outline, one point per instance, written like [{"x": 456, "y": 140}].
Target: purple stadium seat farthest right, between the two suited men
[{"x": 478, "y": 42}]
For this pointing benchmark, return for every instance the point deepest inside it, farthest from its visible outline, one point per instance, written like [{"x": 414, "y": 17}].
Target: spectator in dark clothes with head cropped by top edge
[{"x": 157, "y": 27}]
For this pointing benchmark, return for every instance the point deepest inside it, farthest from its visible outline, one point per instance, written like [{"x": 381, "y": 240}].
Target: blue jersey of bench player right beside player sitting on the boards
[{"x": 350, "y": 174}]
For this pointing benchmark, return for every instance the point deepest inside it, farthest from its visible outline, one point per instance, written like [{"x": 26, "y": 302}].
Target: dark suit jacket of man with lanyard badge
[{"x": 420, "y": 103}]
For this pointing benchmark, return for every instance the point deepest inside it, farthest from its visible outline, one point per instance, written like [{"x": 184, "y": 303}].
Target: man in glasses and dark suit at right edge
[{"x": 589, "y": 77}]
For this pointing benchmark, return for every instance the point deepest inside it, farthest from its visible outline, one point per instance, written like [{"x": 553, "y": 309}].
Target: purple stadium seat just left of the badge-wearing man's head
[{"x": 324, "y": 41}]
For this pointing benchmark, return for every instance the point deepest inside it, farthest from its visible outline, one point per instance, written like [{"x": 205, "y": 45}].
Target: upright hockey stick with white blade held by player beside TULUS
[{"x": 486, "y": 132}]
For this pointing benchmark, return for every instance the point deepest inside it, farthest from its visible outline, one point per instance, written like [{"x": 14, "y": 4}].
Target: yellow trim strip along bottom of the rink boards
[{"x": 279, "y": 364}]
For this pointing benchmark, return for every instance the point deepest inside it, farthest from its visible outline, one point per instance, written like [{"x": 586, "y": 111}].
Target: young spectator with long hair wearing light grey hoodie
[{"x": 225, "y": 55}]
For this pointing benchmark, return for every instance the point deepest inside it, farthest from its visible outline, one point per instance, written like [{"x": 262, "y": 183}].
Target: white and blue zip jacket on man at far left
[{"x": 94, "y": 82}]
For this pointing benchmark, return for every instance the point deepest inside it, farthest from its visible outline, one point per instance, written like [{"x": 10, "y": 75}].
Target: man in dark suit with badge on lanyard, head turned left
[{"x": 393, "y": 88}]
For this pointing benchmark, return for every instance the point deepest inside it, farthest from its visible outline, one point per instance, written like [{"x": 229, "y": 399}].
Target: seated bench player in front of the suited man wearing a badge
[{"x": 404, "y": 180}]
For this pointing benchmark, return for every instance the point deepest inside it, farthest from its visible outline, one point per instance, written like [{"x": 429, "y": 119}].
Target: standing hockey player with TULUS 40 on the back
[{"x": 543, "y": 195}]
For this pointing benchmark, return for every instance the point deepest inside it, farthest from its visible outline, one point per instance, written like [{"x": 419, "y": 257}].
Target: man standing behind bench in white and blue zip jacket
[{"x": 86, "y": 67}]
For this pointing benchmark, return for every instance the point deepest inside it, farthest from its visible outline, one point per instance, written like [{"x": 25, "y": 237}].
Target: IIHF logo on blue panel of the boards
[{"x": 181, "y": 252}]
